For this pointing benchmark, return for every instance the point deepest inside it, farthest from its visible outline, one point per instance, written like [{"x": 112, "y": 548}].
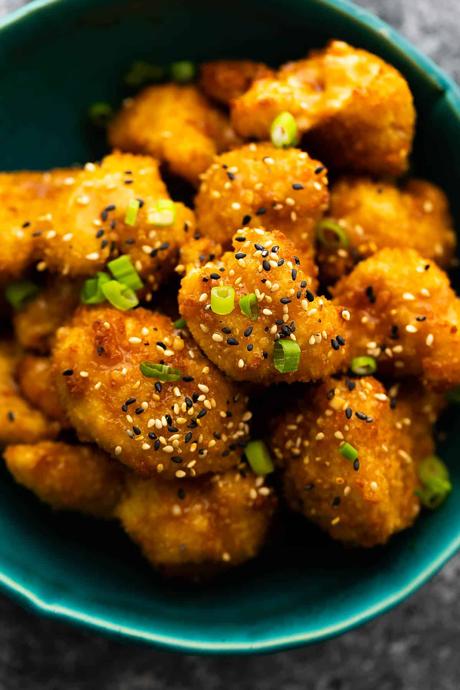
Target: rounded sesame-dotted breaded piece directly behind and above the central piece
[{"x": 259, "y": 185}]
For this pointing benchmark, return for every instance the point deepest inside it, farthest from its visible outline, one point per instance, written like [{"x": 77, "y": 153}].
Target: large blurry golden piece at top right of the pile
[{"x": 357, "y": 109}]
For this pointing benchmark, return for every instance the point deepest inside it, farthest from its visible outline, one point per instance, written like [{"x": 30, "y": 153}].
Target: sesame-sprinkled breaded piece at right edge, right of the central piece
[{"x": 405, "y": 315}]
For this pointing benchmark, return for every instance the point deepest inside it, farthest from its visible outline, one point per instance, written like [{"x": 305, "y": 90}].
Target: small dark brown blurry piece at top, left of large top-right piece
[{"x": 224, "y": 80}]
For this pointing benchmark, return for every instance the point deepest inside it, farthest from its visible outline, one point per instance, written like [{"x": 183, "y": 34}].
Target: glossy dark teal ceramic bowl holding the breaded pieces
[{"x": 58, "y": 56}]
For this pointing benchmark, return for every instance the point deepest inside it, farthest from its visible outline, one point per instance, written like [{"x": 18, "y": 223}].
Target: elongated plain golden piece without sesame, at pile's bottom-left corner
[{"x": 81, "y": 478}]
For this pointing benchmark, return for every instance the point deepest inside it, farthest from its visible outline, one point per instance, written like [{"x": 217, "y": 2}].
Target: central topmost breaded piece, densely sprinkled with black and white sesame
[{"x": 266, "y": 265}]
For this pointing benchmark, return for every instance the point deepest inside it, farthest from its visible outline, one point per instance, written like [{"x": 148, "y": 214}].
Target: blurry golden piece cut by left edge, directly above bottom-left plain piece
[{"x": 19, "y": 421}]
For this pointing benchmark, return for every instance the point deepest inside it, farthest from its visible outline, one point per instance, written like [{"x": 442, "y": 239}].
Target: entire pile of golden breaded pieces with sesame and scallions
[{"x": 309, "y": 269}]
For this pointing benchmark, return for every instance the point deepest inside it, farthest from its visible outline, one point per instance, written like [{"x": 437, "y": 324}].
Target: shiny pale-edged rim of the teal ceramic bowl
[{"x": 24, "y": 595}]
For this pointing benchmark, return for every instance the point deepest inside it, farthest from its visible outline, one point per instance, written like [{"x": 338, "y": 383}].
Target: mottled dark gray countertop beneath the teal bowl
[{"x": 415, "y": 647}]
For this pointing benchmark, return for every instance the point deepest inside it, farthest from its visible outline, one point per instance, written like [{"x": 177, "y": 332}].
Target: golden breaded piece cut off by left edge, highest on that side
[{"x": 25, "y": 200}]
